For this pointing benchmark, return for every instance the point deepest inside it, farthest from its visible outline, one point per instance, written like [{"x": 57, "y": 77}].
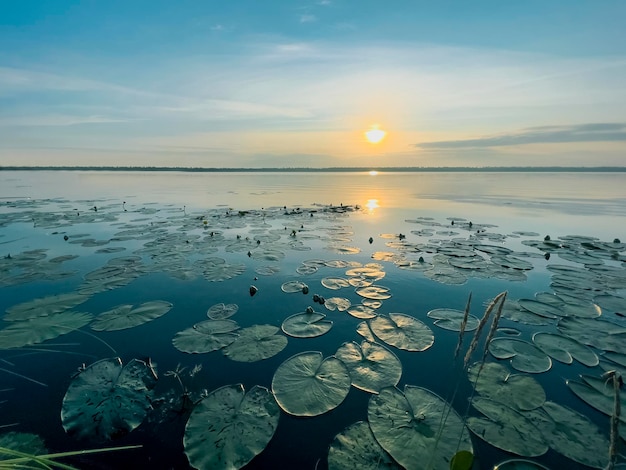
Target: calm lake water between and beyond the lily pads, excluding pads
[{"x": 295, "y": 217}]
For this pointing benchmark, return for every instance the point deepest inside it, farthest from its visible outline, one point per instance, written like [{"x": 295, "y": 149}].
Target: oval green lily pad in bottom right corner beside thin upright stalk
[{"x": 572, "y": 434}]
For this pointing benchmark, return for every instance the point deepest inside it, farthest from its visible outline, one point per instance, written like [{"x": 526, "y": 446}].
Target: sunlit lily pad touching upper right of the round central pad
[{"x": 371, "y": 365}]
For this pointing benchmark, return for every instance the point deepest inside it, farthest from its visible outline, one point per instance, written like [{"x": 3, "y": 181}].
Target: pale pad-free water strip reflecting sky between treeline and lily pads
[{"x": 563, "y": 203}]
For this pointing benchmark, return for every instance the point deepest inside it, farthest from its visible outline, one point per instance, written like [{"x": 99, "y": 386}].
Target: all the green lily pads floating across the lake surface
[{"x": 580, "y": 322}]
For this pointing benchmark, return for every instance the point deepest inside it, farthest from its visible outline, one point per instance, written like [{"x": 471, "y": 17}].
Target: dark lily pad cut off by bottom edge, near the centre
[{"x": 356, "y": 448}]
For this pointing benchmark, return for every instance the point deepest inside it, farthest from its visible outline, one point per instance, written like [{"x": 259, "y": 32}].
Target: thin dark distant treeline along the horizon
[{"x": 506, "y": 169}]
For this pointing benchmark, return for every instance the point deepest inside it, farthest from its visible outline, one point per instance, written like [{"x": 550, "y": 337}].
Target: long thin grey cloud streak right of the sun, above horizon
[{"x": 592, "y": 132}]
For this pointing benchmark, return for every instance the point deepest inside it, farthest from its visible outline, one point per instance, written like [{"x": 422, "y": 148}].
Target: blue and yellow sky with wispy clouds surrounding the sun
[{"x": 249, "y": 83}]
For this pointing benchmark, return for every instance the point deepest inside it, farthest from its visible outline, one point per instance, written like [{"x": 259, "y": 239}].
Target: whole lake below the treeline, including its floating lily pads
[{"x": 255, "y": 318}]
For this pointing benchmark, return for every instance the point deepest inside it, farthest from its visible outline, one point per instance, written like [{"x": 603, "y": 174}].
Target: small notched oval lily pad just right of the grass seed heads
[{"x": 525, "y": 356}]
